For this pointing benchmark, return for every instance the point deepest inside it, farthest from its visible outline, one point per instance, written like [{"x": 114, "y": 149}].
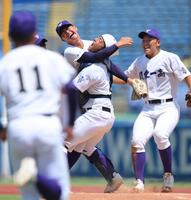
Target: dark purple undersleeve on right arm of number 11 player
[{"x": 72, "y": 101}]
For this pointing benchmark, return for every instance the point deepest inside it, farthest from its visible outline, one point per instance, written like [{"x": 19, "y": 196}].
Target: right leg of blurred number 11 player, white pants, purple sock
[{"x": 52, "y": 164}]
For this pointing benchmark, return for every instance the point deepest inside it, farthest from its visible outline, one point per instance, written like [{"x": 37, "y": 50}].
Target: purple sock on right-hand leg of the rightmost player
[{"x": 166, "y": 157}]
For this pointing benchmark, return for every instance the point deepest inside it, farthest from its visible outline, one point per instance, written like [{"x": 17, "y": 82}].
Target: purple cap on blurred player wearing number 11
[{"x": 22, "y": 23}]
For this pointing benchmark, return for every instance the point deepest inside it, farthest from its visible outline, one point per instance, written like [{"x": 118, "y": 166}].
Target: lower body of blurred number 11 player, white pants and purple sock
[{"x": 42, "y": 142}]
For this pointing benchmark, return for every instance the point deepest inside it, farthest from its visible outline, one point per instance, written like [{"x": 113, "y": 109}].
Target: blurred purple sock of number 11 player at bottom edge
[{"x": 48, "y": 188}]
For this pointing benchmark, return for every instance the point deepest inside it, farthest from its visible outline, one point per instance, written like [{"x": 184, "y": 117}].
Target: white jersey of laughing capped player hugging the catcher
[{"x": 72, "y": 54}]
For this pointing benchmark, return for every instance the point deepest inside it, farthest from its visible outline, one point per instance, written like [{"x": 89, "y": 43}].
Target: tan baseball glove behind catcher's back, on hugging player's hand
[{"x": 139, "y": 89}]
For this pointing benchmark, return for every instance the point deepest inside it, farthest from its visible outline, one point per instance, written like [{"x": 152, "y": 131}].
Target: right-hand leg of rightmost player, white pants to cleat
[{"x": 161, "y": 136}]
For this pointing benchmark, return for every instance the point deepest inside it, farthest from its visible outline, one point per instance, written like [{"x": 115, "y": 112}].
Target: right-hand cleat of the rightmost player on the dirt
[{"x": 168, "y": 182}]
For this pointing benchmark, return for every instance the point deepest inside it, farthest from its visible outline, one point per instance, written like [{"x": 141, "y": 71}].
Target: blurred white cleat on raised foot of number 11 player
[{"x": 26, "y": 173}]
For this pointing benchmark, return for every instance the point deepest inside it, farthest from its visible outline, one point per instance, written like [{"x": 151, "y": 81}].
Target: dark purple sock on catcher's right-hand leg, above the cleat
[{"x": 103, "y": 164}]
